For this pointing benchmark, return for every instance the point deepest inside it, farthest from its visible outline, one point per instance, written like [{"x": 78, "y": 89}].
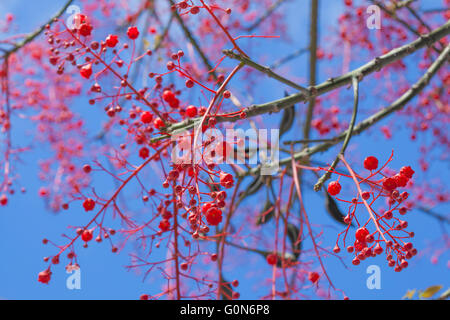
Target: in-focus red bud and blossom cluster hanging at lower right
[{"x": 369, "y": 244}]
